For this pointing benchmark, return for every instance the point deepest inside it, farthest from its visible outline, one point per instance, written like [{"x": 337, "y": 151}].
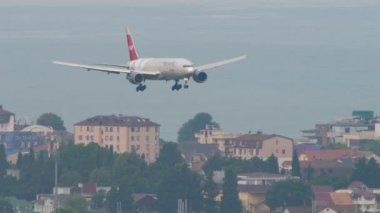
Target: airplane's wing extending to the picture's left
[{"x": 108, "y": 68}]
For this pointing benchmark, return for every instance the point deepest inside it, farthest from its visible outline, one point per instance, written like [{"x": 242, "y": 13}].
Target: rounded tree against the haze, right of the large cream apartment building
[{"x": 187, "y": 131}]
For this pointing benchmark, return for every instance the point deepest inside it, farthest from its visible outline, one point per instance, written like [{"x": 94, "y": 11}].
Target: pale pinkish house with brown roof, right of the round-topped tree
[{"x": 260, "y": 145}]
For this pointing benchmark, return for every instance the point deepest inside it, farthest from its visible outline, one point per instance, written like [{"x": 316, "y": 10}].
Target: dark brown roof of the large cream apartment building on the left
[{"x": 116, "y": 120}]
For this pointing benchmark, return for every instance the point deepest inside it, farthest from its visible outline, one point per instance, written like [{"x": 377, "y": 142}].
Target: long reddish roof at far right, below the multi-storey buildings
[{"x": 333, "y": 154}]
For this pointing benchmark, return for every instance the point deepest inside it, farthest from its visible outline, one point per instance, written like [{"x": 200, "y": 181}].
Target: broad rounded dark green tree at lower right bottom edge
[{"x": 289, "y": 193}]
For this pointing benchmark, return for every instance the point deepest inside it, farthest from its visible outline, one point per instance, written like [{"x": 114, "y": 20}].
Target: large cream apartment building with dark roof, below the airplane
[{"x": 122, "y": 133}]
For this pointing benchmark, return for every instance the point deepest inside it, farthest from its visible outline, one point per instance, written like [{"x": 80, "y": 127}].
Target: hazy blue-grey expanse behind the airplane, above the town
[{"x": 307, "y": 61}]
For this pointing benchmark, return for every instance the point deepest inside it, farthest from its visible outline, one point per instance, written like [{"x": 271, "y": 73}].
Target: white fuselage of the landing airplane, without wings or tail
[{"x": 168, "y": 68}]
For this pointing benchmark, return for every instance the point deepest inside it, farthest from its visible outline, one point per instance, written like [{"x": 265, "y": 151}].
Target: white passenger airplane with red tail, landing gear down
[{"x": 138, "y": 70}]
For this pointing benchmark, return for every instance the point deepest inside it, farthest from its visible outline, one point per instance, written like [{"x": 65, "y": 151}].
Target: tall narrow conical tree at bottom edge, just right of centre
[{"x": 230, "y": 199}]
